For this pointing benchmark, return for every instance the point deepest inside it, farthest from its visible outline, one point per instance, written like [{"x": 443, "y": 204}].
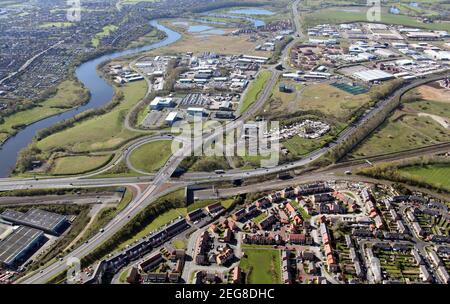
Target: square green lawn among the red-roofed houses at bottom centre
[{"x": 262, "y": 266}]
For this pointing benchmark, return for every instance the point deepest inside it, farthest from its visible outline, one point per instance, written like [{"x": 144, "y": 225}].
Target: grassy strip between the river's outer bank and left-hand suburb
[{"x": 69, "y": 94}]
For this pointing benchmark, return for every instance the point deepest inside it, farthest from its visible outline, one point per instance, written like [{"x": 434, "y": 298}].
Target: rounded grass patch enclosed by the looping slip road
[{"x": 152, "y": 156}]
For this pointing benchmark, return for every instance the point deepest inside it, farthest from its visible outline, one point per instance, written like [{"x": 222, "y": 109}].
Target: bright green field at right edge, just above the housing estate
[{"x": 437, "y": 175}]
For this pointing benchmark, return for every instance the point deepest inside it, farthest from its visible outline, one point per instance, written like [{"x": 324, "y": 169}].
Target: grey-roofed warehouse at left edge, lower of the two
[{"x": 19, "y": 245}]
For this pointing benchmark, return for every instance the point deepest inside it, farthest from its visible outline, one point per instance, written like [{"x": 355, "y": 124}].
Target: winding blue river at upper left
[{"x": 101, "y": 94}]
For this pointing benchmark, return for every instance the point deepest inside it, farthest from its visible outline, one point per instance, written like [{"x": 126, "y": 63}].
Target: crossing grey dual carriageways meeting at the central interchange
[{"x": 159, "y": 182}]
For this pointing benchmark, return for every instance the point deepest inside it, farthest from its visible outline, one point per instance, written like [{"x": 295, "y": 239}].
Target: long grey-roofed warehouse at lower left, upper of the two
[{"x": 47, "y": 221}]
